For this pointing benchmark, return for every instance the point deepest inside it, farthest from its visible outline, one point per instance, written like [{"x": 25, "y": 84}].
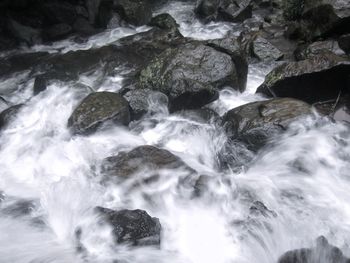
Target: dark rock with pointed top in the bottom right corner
[{"x": 322, "y": 252}]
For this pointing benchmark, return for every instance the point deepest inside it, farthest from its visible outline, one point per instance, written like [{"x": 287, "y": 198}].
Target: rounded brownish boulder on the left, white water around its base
[{"x": 97, "y": 108}]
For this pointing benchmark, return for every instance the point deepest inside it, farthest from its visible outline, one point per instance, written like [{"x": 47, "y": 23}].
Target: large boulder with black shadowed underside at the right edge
[{"x": 318, "y": 78}]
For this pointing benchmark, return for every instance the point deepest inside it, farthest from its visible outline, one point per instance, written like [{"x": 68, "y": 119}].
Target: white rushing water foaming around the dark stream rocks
[{"x": 51, "y": 181}]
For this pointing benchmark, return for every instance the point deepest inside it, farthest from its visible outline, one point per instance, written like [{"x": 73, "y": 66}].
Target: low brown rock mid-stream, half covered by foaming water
[{"x": 143, "y": 157}]
